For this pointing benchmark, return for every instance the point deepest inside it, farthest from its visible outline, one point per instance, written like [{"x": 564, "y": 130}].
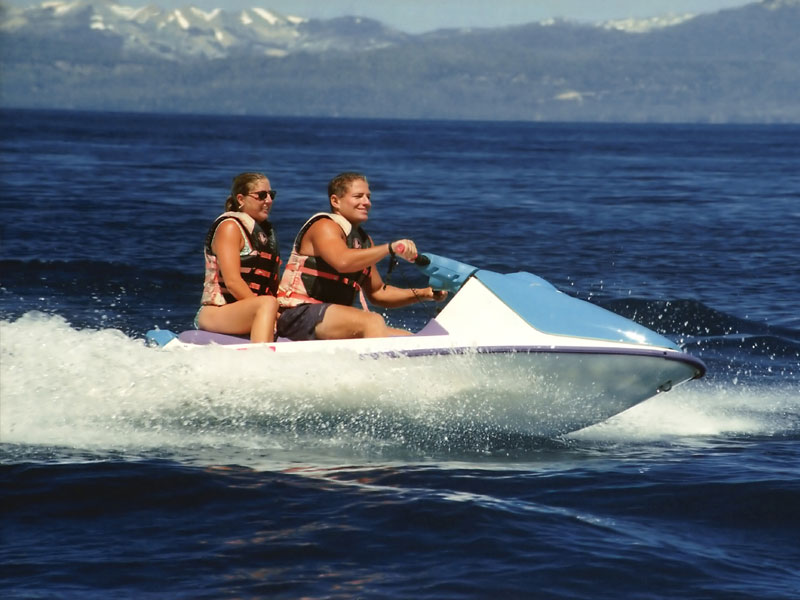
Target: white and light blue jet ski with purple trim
[{"x": 559, "y": 363}]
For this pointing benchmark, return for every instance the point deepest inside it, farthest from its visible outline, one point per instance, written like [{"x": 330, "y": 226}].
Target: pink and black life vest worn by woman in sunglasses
[{"x": 260, "y": 260}]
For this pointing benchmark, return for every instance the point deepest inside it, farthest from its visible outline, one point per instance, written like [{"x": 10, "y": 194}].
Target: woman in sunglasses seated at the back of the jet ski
[{"x": 242, "y": 264}]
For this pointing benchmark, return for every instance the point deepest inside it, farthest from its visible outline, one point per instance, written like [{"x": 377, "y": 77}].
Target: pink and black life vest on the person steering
[{"x": 309, "y": 279}]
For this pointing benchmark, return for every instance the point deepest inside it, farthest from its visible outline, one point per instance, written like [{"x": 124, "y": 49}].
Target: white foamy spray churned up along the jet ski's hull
[{"x": 101, "y": 389}]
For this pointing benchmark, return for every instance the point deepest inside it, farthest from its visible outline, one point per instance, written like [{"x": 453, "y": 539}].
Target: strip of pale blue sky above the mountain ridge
[{"x": 415, "y": 16}]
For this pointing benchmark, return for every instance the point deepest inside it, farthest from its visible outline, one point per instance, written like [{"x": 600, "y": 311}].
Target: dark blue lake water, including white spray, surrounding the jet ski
[{"x": 126, "y": 472}]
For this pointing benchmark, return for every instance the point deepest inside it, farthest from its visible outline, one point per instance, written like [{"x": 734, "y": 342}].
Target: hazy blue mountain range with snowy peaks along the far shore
[{"x": 733, "y": 65}]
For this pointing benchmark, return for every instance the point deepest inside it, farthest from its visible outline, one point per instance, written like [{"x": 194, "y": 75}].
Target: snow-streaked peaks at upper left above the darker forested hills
[{"x": 192, "y": 32}]
